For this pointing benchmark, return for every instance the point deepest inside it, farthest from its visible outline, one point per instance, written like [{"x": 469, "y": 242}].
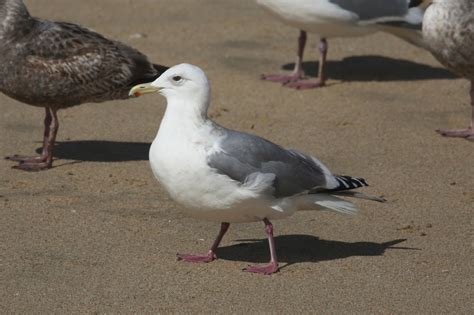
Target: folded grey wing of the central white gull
[{"x": 243, "y": 154}]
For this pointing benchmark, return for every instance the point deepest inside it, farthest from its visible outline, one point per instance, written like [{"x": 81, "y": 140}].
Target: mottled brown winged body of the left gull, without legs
[{"x": 62, "y": 64}]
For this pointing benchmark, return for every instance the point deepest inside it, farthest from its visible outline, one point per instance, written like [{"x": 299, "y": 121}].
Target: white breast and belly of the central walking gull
[{"x": 180, "y": 164}]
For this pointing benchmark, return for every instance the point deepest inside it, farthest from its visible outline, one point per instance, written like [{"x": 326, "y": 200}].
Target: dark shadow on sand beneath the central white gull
[{"x": 303, "y": 248}]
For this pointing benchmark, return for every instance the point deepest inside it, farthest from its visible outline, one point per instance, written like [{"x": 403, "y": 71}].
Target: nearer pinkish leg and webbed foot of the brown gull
[{"x": 47, "y": 162}]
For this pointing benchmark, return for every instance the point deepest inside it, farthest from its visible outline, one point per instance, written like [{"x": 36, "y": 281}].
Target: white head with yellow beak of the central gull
[{"x": 180, "y": 82}]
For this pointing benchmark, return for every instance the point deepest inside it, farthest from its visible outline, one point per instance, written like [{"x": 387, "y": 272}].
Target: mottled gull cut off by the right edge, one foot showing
[{"x": 448, "y": 29}]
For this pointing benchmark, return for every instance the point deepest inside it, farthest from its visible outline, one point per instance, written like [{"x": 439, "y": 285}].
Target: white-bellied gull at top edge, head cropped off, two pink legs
[{"x": 342, "y": 18}]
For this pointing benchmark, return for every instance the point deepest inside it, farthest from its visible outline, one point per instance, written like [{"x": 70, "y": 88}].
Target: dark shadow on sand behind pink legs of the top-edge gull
[{"x": 375, "y": 68}]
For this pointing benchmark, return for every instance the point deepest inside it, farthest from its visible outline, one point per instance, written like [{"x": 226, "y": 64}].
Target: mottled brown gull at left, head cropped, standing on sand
[{"x": 57, "y": 65}]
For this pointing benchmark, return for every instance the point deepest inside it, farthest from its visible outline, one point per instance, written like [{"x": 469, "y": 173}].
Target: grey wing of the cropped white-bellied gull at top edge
[{"x": 374, "y": 9}]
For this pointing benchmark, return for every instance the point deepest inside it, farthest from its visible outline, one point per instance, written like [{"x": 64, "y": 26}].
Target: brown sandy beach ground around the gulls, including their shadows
[{"x": 98, "y": 234}]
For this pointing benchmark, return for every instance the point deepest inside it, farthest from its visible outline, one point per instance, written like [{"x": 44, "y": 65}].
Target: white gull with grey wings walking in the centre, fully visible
[{"x": 227, "y": 176}]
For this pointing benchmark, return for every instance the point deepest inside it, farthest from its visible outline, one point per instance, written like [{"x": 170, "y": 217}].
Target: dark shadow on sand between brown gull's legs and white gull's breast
[{"x": 101, "y": 151}]
